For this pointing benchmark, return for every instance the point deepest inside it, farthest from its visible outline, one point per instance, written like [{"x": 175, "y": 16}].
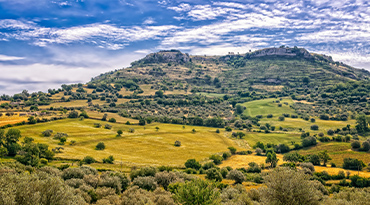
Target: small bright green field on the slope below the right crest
[{"x": 266, "y": 106}]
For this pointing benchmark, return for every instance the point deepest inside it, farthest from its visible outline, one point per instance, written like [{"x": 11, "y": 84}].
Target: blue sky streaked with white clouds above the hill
[{"x": 47, "y": 43}]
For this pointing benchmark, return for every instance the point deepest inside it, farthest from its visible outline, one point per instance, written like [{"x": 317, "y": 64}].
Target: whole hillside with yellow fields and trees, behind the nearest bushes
[{"x": 172, "y": 118}]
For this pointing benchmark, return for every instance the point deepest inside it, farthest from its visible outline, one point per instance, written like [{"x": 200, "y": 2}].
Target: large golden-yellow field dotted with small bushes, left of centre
[{"x": 145, "y": 146}]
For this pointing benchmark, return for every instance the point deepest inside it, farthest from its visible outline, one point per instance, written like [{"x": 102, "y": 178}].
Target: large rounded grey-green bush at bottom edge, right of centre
[{"x": 288, "y": 186}]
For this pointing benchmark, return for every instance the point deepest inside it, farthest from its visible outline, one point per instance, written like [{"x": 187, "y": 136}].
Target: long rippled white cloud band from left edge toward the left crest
[{"x": 104, "y": 35}]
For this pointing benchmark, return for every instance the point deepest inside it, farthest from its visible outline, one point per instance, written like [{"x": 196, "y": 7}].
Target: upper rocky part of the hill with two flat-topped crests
[{"x": 232, "y": 73}]
